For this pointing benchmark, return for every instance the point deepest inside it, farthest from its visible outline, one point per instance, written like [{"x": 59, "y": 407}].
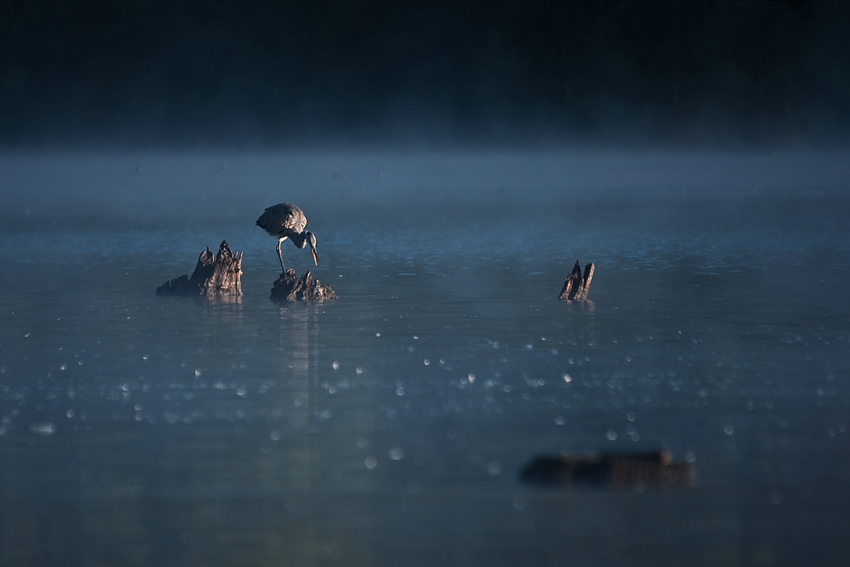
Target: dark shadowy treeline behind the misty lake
[{"x": 213, "y": 73}]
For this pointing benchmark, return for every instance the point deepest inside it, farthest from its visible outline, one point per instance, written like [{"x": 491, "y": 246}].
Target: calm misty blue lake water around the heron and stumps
[{"x": 389, "y": 427}]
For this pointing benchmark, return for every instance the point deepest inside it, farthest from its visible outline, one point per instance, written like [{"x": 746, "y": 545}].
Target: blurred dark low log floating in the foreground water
[{"x": 653, "y": 470}]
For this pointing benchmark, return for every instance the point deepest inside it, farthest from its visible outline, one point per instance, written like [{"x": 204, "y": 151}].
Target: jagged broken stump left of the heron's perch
[{"x": 216, "y": 276}]
